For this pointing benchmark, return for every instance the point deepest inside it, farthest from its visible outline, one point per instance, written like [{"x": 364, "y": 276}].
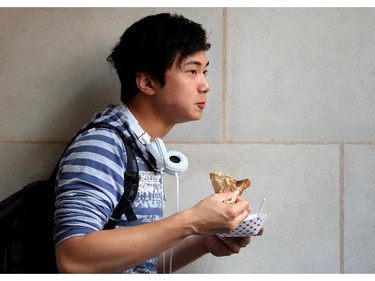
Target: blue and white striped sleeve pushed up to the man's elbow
[{"x": 89, "y": 183}]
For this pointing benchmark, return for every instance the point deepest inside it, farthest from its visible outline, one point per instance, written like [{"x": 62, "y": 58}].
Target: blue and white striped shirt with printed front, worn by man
[{"x": 90, "y": 183}]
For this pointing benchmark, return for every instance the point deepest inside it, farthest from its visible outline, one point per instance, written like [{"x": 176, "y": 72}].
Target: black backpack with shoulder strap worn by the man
[{"x": 26, "y": 218}]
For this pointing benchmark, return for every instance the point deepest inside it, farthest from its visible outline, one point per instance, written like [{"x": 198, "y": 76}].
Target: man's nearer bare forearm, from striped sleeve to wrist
[{"x": 119, "y": 249}]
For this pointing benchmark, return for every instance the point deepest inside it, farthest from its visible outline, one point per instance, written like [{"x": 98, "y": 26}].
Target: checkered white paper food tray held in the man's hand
[{"x": 249, "y": 227}]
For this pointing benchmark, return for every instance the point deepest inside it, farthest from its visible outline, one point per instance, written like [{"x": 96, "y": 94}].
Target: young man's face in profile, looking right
[{"x": 183, "y": 97}]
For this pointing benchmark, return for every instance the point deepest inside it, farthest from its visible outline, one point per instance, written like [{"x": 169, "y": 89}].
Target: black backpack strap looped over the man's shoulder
[{"x": 131, "y": 177}]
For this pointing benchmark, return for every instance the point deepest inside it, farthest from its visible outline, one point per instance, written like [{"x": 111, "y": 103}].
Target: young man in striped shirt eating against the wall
[{"x": 162, "y": 67}]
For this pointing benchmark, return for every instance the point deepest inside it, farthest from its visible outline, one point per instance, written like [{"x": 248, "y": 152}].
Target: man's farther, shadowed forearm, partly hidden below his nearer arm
[{"x": 184, "y": 253}]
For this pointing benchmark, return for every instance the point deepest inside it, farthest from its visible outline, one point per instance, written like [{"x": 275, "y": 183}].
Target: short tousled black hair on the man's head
[{"x": 151, "y": 45}]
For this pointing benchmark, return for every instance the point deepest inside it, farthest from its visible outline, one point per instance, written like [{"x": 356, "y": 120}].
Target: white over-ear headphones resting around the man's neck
[{"x": 172, "y": 162}]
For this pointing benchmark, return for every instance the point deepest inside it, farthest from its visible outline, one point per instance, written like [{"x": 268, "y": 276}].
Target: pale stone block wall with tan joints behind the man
[{"x": 291, "y": 107}]
